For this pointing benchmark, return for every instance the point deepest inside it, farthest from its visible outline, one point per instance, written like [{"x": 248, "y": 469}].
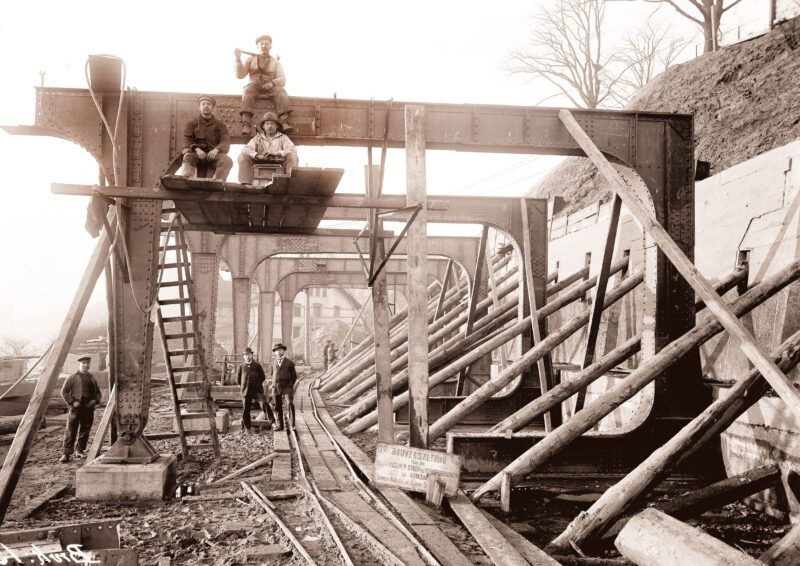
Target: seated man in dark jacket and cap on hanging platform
[{"x": 206, "y": 140}]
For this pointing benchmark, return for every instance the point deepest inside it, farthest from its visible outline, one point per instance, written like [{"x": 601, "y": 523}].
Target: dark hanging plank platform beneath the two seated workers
[{"x": 232, "y": 217}]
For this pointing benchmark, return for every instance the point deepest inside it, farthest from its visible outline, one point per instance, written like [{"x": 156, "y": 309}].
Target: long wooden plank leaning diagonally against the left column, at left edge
[{"x": 26, "y": 433}]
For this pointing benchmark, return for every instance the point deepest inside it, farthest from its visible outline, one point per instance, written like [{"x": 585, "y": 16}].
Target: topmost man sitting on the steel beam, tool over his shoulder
[{"x": 267, "y": 81}]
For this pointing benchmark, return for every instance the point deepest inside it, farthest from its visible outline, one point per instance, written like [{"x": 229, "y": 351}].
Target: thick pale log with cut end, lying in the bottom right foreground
[{"x": 656, "y": 539}]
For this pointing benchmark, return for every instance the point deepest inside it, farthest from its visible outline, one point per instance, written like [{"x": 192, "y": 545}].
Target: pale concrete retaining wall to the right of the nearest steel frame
[{"x": 754, "y": 206}]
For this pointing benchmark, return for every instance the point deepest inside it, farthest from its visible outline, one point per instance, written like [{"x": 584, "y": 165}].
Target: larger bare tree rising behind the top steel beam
[{"x": 566, "y": 48}]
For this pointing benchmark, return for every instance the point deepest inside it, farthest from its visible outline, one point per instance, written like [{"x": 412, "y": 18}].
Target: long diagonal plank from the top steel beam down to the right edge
[{"x": 783, "y": 385}]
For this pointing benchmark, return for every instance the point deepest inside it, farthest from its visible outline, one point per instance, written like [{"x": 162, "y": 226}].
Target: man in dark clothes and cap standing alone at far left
[{"x": 82, "y": 394}]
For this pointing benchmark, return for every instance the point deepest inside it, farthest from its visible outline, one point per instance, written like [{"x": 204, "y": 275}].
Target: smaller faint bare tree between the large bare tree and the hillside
[{"x": 646, "y": 53}]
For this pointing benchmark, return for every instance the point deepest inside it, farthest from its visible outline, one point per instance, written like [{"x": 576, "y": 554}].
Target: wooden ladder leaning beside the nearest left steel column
[{"x": 180, "y": 337}]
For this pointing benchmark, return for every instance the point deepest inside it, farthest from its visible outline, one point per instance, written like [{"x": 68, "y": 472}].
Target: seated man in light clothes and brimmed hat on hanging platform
[{"x": 269, "y": 146}]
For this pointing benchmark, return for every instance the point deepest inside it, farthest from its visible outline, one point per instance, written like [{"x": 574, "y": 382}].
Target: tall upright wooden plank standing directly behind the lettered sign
[{"x": 417, "y": 256}]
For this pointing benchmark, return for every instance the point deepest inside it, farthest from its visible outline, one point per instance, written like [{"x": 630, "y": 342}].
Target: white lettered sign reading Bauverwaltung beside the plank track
[{"x": 409, "y": 468}]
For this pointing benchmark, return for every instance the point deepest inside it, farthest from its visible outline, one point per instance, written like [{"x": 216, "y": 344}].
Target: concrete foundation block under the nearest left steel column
[{"x": 97, "y": 481}]
